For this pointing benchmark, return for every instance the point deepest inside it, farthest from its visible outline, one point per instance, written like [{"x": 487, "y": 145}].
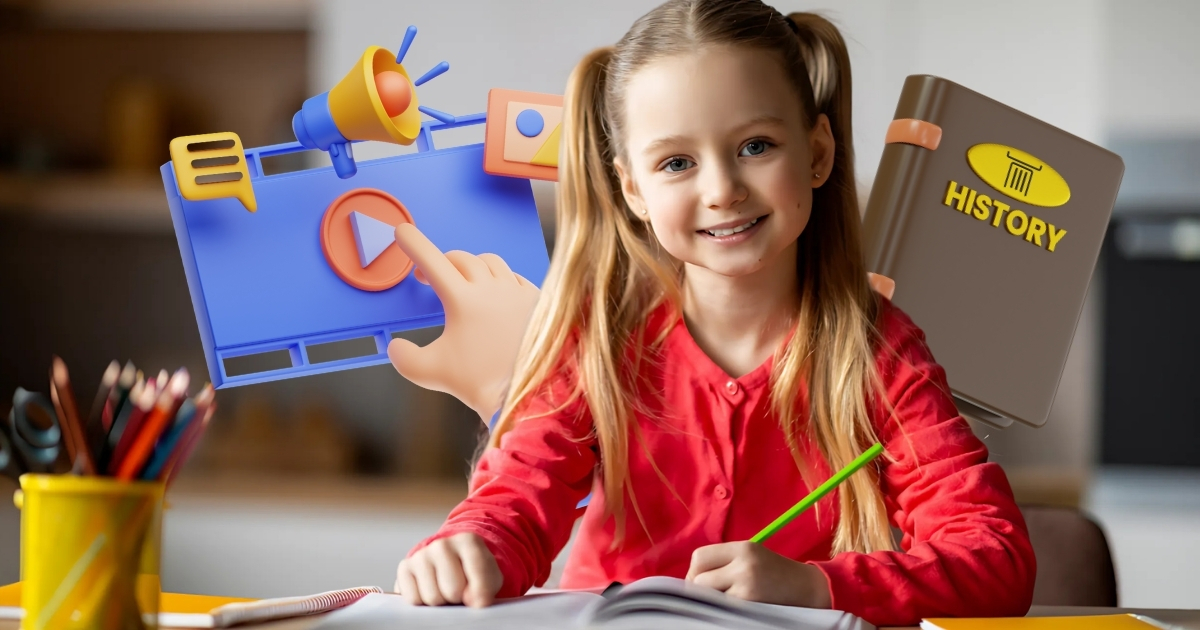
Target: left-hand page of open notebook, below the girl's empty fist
[{"x": 549, "y": 611}]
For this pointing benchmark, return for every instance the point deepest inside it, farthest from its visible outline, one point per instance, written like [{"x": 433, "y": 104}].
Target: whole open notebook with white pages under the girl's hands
[{"x": 647, "y": 603}]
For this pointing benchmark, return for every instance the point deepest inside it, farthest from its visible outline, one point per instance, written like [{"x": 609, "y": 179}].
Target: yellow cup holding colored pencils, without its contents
[{"x": 89, "y": 553}]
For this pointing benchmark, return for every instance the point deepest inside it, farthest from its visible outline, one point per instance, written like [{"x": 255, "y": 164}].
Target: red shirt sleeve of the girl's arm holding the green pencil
[{"x": 967, "y": 550}]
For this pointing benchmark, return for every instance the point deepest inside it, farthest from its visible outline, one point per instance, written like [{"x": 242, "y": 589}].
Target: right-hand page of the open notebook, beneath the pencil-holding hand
[{"x": 653, "y": 596}]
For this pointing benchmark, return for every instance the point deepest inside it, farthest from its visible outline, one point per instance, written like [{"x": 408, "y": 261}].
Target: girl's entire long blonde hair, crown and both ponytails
[{"x": 608, "y": 272}]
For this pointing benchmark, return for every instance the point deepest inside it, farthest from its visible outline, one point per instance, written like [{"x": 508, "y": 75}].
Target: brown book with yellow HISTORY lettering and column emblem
[{"x": 991, "y": 223}]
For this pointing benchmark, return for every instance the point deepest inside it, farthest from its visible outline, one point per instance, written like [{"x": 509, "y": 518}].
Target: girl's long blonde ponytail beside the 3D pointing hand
[{"x": 605, "y": 278}]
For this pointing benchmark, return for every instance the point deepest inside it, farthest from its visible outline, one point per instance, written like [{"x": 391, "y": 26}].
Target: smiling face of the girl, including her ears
[{"x": 719, "y": 161}]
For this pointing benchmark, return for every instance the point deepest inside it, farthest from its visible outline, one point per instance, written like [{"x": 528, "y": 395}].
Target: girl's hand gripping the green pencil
[{"x": 751, "y": 572}]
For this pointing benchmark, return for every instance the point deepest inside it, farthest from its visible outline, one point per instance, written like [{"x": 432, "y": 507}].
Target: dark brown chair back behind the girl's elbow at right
[{"x": 1075, "y": 563}]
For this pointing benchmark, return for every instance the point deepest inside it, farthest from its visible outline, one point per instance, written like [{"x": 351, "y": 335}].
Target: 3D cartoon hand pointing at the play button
[{"x": 488, "y": 309}]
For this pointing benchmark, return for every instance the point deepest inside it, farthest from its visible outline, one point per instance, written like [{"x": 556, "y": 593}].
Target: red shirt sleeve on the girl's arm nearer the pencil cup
[{"x": 524, "y": 494}]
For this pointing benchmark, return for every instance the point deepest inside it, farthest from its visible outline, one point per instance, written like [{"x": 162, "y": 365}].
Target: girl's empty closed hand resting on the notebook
[{"x": 458, "y": 569}]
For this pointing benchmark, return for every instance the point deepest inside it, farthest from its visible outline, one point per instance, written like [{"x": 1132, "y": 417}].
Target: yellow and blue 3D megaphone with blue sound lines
[{"x": 375, "y": 101}]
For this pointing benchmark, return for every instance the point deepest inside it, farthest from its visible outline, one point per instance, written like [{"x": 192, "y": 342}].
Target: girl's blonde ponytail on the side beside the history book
[{"x": 838, "y": 308}]
